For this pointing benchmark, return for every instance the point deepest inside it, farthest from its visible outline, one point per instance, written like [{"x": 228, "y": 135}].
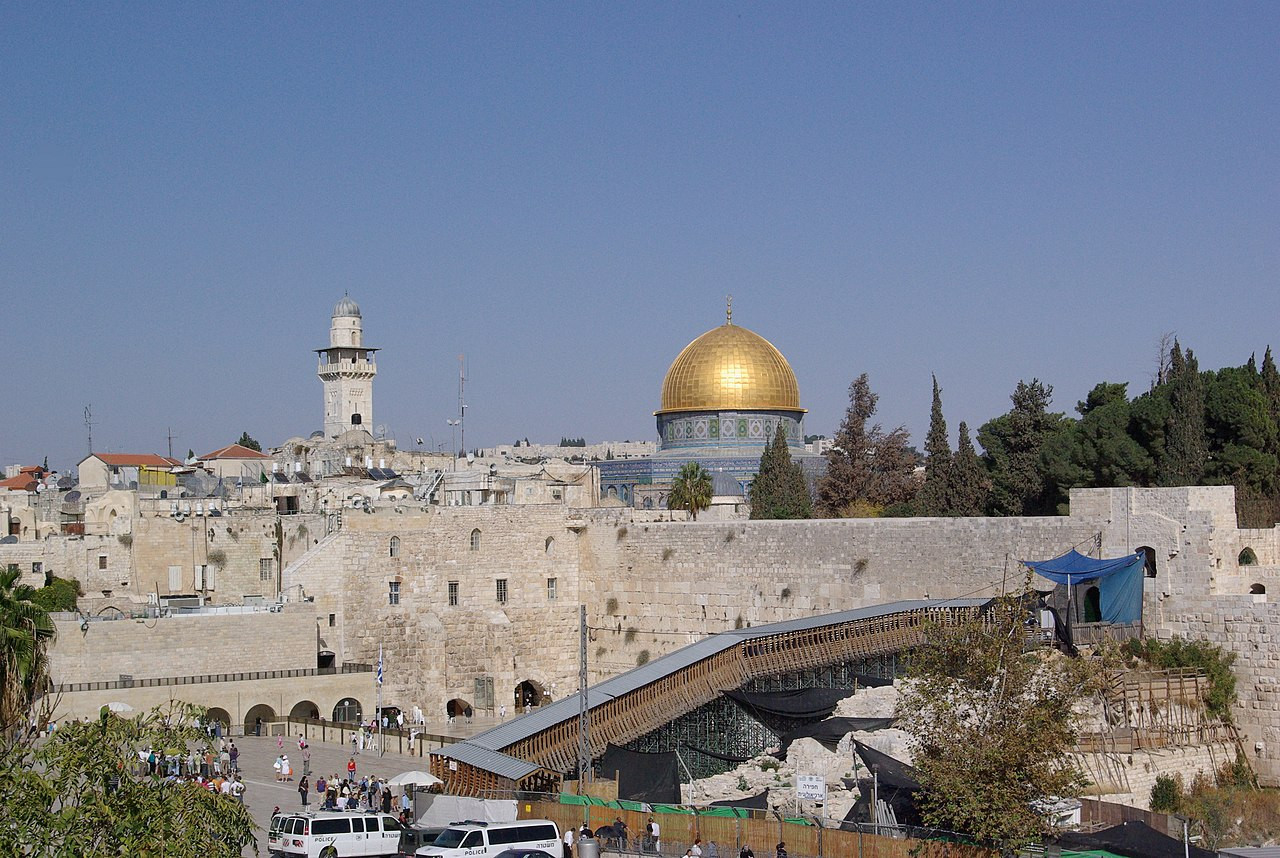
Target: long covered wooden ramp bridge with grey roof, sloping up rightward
[{"x": 537, "y": 751}]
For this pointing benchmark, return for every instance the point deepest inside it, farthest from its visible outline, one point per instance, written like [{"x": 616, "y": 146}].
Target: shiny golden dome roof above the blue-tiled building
[{"x": 730, "y": 369}]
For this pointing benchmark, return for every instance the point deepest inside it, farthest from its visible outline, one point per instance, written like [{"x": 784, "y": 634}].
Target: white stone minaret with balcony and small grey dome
[{"x": 348, "y": 371}]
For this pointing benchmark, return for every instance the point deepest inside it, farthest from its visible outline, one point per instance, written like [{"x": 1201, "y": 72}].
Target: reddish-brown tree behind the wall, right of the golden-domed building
[{"x": 867, "y": 469}]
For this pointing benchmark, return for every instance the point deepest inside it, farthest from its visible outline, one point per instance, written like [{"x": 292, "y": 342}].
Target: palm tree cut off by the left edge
[{"x": 26, "y": 631}]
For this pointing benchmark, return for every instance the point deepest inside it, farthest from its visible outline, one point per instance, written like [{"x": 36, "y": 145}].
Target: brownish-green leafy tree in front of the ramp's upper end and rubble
[{"x": 990, "y": 725}]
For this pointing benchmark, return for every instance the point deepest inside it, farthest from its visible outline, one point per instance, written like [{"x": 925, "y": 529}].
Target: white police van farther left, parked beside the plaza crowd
[{"x": 328, "y": 834}]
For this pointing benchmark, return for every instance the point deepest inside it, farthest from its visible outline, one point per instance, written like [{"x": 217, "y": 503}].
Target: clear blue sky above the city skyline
[{"x": 566, "y": 194}]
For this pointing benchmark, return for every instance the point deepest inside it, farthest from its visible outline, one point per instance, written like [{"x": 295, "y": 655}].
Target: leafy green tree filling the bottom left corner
[{"x": 84, "y": 793}]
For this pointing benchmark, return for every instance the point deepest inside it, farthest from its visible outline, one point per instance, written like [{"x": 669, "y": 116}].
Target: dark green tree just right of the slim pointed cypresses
[{"x": 1012, "y": 446}]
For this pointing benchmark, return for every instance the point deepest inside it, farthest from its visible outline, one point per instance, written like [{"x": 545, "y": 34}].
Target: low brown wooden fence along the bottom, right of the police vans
[{"x": 764, "y": 834}]
